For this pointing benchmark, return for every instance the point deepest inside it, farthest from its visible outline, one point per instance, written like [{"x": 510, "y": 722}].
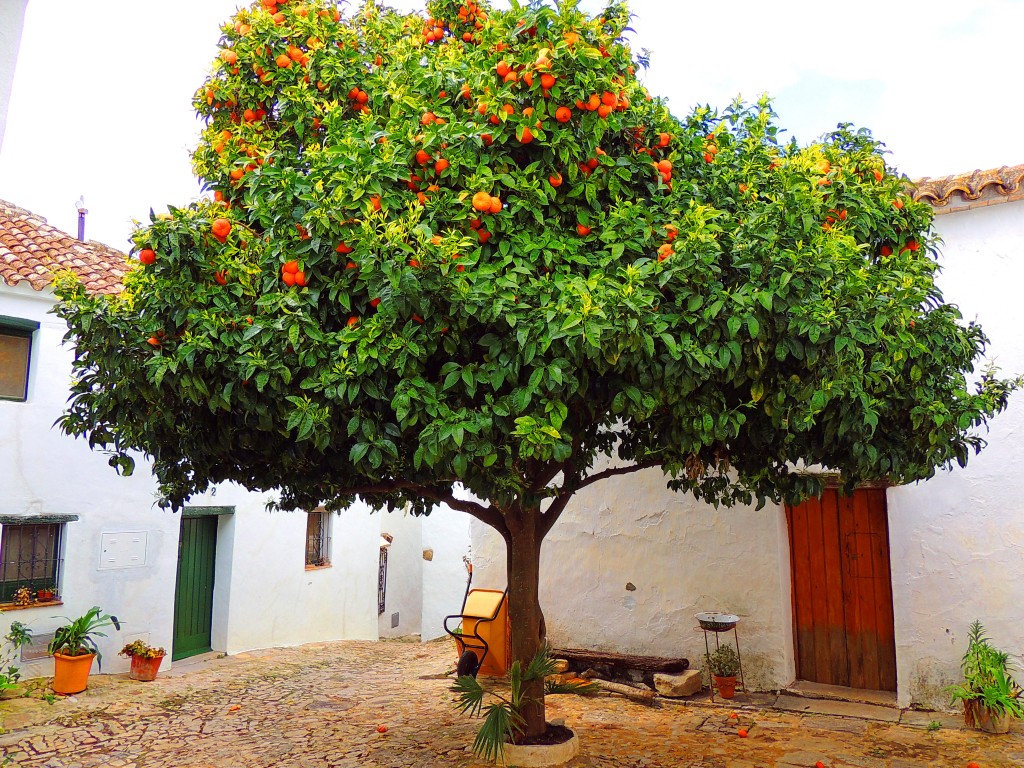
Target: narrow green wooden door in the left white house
[{"x": 194, "y": 589}]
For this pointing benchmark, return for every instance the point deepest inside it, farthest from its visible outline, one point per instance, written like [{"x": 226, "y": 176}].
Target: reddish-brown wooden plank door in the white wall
[{"x": 842, "y": 590}]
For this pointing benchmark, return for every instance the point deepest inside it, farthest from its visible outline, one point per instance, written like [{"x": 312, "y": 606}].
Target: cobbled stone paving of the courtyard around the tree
[{"x": 321, "y": 706}]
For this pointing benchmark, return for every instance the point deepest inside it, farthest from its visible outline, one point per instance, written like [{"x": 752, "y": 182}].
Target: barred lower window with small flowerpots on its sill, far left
[{"x": 30, "y": 563}]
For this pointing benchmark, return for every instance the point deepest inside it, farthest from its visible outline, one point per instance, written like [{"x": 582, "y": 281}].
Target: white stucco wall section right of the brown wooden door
[{"x": 958, "y": 540}]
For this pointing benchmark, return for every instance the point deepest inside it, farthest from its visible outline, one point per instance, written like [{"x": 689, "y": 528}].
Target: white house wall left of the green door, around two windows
[{"x": 45, "y": 473}]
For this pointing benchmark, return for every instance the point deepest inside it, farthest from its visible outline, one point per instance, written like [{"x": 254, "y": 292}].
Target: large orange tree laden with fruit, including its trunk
[{"x": 472, "y": 250}]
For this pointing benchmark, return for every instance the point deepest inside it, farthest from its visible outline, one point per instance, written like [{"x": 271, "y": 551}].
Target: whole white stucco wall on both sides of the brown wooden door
[{"x": 957, "y": 541}]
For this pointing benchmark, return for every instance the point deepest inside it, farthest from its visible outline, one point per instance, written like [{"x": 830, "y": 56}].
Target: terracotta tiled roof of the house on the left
[{"x": 31, "y": 251}]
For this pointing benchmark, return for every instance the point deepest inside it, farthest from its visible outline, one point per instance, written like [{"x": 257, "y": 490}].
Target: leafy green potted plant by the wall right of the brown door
[{"x": 991, "y": 697}]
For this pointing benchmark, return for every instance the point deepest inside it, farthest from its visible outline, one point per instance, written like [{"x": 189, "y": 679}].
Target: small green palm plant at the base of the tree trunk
[{"x": 503, "y": 720}]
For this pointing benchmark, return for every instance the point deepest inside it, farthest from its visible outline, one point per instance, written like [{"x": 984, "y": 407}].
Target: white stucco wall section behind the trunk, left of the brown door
[{"x": 680, "y": 556}]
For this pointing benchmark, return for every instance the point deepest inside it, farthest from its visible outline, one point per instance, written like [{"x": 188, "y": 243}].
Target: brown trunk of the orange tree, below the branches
[{"x": 524, "y": 568}]
